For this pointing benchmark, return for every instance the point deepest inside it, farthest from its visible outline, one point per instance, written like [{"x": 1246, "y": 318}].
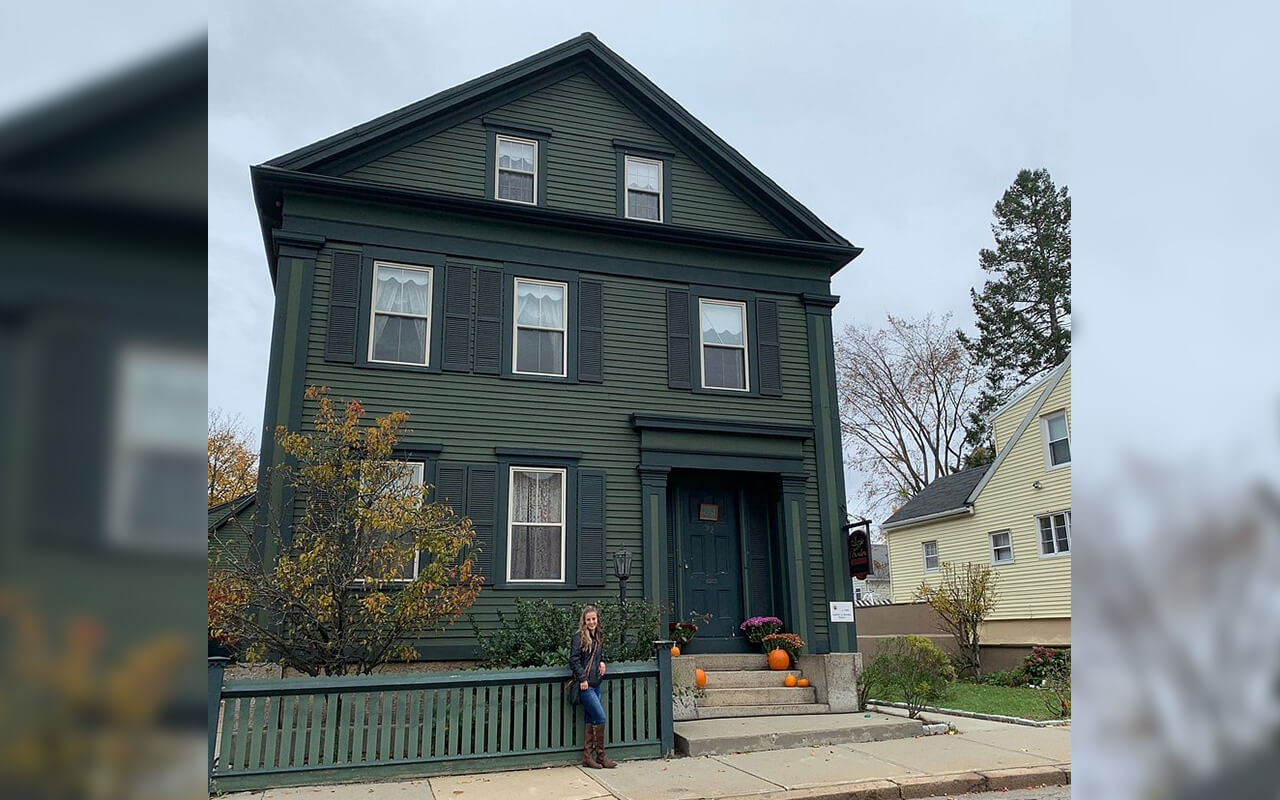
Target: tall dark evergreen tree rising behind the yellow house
[{"x": 1025, "y": 312}]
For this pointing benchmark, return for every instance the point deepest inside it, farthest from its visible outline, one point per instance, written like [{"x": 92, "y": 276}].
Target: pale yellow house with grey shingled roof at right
[{"x": 1014, "y": 514}]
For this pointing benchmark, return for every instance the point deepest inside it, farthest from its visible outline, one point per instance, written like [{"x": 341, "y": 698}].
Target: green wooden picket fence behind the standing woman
[{"x": 307, "y": 732}]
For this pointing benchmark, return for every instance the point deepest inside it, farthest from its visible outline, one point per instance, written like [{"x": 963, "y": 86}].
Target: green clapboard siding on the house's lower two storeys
[{"x": 473, "y": 414}]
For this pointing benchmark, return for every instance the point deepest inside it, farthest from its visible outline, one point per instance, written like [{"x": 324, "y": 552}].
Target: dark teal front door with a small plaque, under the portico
[{"x": 711, "y": 561}]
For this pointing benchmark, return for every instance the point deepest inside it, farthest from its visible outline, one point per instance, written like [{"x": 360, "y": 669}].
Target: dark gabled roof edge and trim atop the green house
[{"x": 586, "y": 53}]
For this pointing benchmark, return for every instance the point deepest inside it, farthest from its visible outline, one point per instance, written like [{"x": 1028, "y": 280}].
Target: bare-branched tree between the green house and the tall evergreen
[{"x": 906, "y": 396}]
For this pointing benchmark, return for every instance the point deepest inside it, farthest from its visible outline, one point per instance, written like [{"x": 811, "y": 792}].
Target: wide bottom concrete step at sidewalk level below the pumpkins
[{"x": 755, "y": 734}]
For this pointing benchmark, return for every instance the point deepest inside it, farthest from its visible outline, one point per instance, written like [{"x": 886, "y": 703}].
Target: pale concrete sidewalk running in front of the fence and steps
[{"x": 981, "y": 757}]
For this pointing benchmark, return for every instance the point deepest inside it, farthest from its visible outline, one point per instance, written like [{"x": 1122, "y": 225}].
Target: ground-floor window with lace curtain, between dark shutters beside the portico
[{"x": 536, "y": 528}]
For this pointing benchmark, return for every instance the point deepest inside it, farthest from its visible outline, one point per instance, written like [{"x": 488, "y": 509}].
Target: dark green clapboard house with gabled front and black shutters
[{"x": 611, "y": 332}]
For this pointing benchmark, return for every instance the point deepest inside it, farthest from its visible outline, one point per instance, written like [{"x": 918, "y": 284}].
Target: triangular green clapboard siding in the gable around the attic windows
[{"x": 582, "y": 164}]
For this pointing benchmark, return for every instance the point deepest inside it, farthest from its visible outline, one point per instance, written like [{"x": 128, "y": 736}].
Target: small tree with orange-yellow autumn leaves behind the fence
[{"x": 341, "y": 595}]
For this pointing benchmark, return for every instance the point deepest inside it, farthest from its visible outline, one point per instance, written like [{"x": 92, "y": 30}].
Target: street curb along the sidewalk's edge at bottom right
[{"x": 926, "y": 787}]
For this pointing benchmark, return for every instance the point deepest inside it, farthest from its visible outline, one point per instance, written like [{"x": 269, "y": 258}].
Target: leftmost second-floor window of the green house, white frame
[{"x": 401, "y": 323}]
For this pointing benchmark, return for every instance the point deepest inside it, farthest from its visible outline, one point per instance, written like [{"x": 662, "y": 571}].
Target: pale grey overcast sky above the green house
[{"x": 899, "y": 125}]
